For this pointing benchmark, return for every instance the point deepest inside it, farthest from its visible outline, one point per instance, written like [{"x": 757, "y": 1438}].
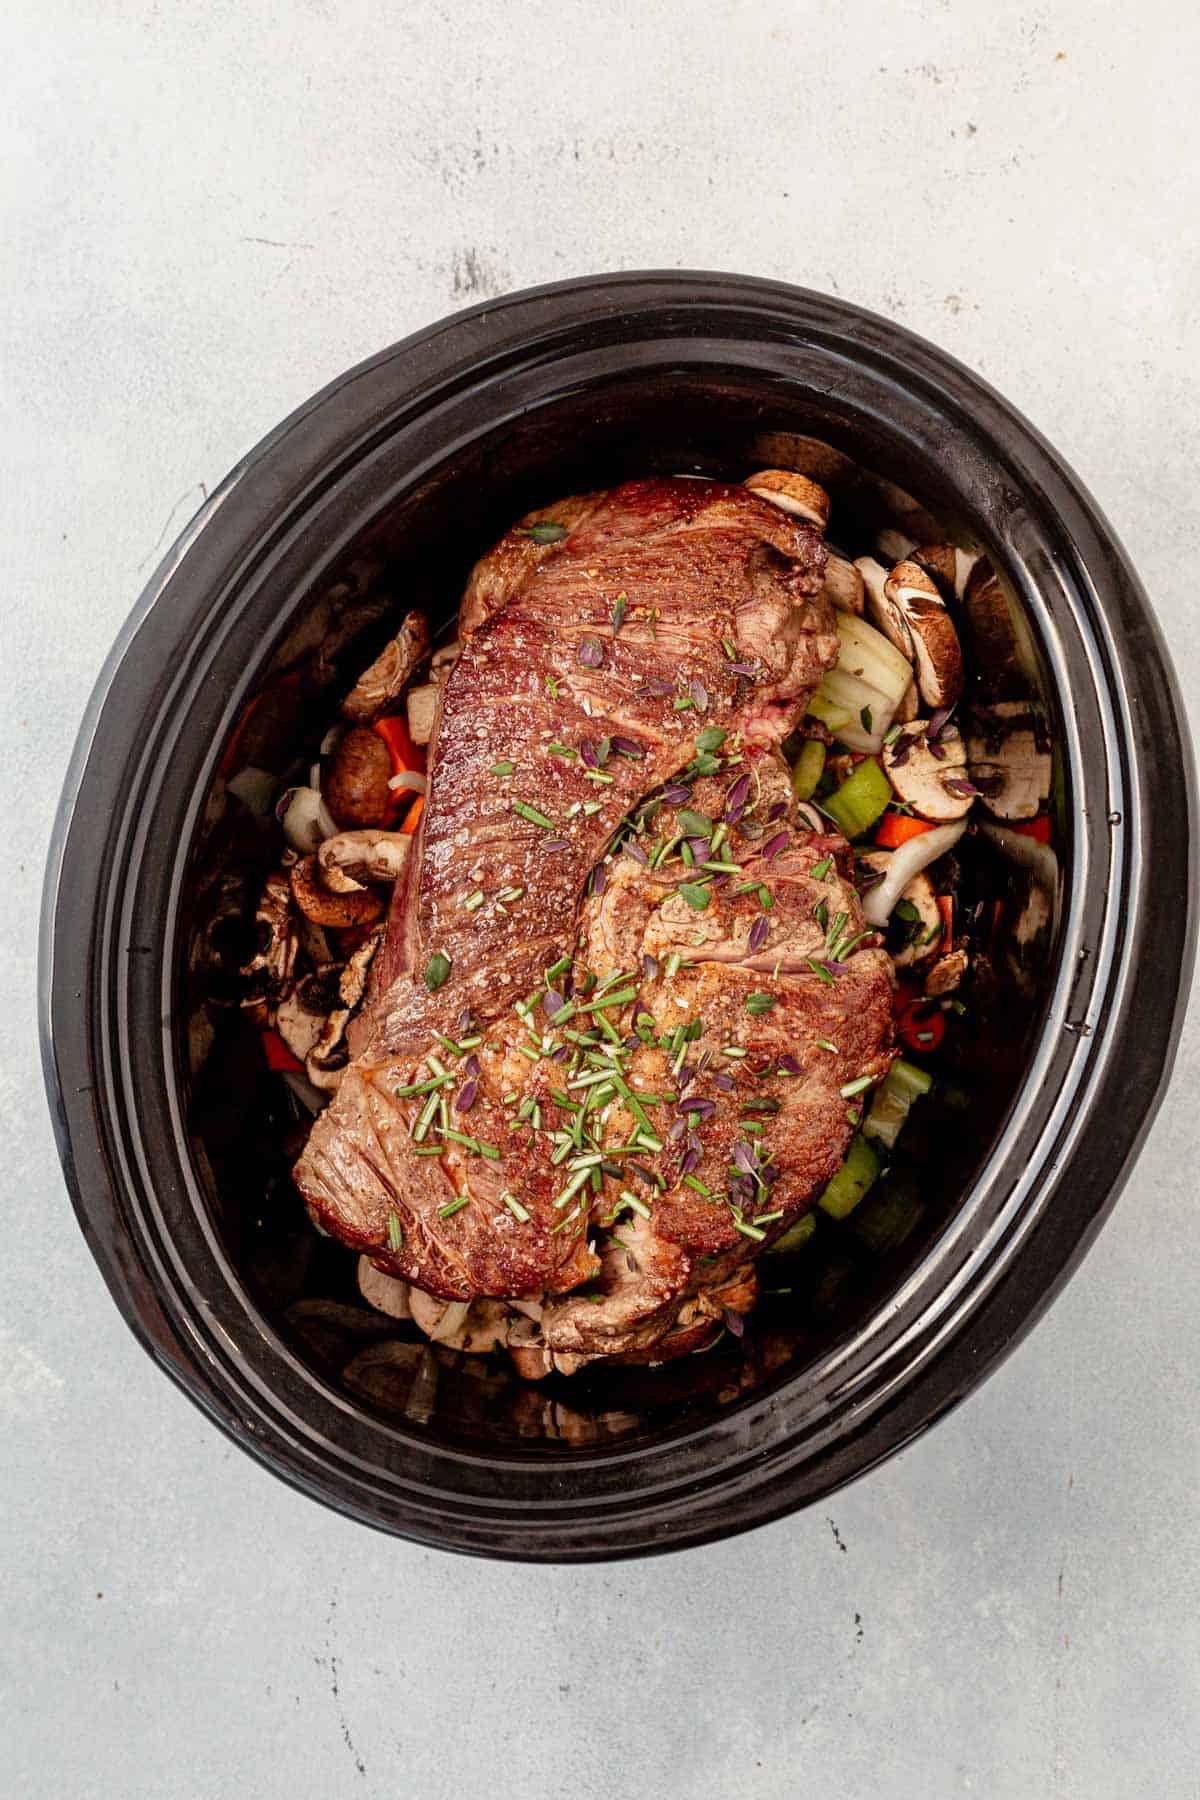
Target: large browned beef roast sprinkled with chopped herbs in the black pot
[{"x": 663, "y": 633}]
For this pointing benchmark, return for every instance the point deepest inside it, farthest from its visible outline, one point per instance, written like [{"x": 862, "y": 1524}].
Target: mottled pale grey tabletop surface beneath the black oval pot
[{"x": 208, "y": 211}]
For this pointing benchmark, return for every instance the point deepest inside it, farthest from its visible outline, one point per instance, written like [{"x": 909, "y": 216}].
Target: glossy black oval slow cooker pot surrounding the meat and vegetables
[{"x": 177, "y": 1140}]
